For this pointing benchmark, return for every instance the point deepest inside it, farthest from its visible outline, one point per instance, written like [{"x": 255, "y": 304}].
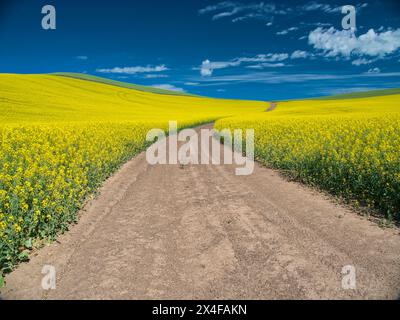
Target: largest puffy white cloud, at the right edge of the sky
[{"x": 336, "y": 43}]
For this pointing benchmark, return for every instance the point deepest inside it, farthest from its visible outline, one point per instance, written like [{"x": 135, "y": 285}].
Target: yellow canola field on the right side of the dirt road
[{"x": 349, "y": 147}]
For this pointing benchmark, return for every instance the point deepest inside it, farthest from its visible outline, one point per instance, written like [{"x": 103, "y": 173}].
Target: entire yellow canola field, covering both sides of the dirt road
[{"x": 62, "y": 136}]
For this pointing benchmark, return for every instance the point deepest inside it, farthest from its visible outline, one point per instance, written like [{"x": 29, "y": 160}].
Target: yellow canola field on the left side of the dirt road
[{"x": 60, "y": 138}]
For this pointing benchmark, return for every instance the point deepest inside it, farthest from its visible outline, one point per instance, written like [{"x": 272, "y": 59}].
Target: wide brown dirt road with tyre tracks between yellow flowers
[{"x": 200, "y": 232}]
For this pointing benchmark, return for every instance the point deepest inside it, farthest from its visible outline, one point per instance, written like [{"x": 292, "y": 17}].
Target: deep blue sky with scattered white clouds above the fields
[{"x": 232, "y": 49}]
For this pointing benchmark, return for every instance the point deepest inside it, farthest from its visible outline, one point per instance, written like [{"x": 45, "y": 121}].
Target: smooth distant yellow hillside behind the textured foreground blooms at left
[{"x": 52, "y": 98}]
